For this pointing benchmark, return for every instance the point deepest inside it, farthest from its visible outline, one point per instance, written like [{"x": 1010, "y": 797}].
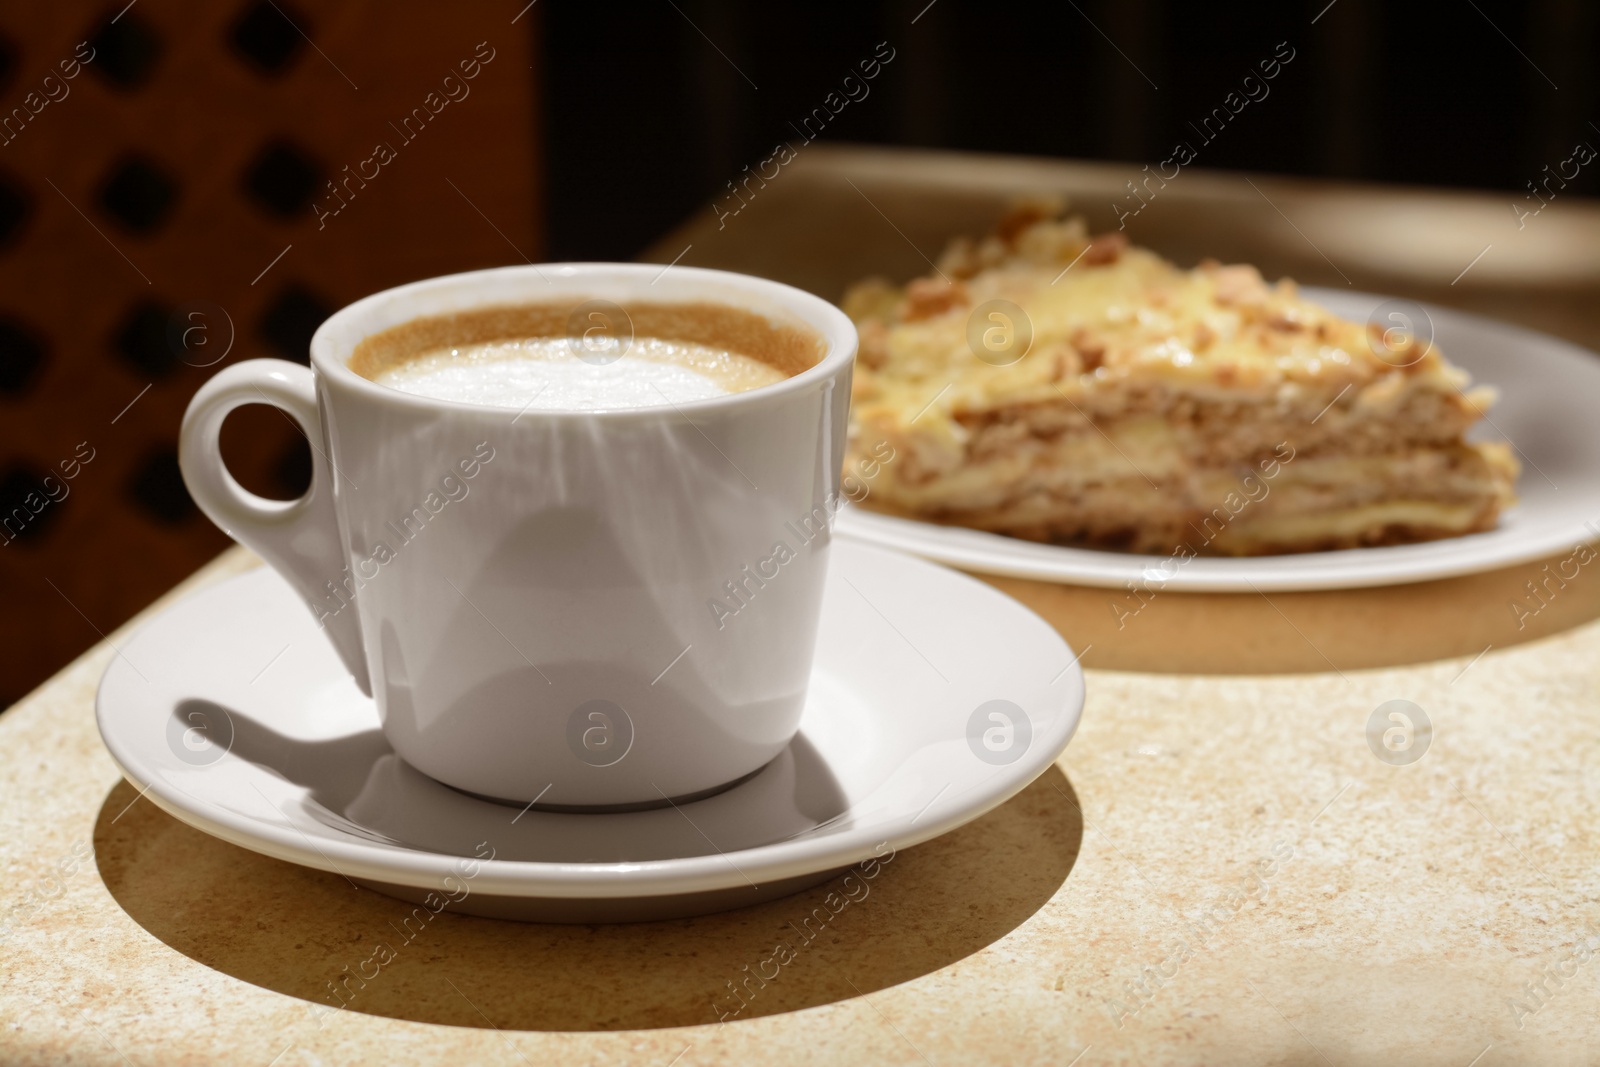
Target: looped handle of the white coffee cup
[{"x": 298, "y": 538}]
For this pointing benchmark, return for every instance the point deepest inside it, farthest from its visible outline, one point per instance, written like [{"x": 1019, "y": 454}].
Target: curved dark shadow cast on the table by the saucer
[{"x": 305, "y": 933}]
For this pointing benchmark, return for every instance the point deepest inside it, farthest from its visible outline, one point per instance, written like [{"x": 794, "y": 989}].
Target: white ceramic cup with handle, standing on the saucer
[{"x": 534, "y": 597}]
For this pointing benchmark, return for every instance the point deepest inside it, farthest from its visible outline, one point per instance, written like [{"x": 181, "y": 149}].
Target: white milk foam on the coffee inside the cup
[{"x": 558, "y": 375}]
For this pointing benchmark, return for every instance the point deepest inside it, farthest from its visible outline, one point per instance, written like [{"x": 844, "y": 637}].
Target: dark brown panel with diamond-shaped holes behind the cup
[{"x": 180, "y": 180}]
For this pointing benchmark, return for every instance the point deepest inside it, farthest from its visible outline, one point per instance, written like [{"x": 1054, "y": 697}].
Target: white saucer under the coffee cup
[{"x": 234, "y": 714}]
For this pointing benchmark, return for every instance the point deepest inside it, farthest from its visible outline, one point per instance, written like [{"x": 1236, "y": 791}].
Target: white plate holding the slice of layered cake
[{"x": 1550, "y": 394}]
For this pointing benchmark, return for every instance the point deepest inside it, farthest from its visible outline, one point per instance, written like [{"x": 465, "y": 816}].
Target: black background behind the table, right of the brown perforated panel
[{"x": 647, "y": 121}]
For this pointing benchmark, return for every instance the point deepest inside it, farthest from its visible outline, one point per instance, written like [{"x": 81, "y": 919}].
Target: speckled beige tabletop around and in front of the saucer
[{"x": 1218, "y": 871}]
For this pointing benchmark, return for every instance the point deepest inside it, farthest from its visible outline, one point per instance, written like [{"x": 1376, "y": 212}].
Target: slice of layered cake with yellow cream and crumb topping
[{"x": 1060, "y": 388}]
